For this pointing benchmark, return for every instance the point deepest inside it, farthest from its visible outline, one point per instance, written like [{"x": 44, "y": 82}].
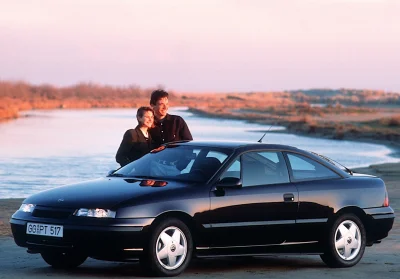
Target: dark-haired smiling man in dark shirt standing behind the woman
[{"x": 168, "y": 127}]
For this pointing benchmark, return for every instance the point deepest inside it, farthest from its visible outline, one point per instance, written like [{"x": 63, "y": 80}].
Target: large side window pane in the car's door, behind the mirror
[{"x": 263, "y": 168}]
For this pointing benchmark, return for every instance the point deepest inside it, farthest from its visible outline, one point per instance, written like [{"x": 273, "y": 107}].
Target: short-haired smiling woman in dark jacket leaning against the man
[{"x": 137, "y": 142}]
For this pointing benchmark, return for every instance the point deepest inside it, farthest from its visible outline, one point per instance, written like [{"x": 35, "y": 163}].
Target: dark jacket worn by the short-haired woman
[{"x": 133, "y": 146}]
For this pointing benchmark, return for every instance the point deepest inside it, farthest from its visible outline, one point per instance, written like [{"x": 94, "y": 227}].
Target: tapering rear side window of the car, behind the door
[{"x": 304, "y": 168}]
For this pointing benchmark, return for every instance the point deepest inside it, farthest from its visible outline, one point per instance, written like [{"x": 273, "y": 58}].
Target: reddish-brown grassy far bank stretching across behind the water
[{"x": 337, "y": 114}]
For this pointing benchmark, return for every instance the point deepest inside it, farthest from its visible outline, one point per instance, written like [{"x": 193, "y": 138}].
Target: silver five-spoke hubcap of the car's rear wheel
[{"x": 348, "y": 240}]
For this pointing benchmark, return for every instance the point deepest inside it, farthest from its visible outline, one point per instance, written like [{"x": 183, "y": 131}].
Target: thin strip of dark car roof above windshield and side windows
[{"x": 245, "y": 145}]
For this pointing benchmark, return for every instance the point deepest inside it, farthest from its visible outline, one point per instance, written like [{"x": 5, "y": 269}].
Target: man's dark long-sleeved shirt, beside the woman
[{"x": 171, "y": 128}]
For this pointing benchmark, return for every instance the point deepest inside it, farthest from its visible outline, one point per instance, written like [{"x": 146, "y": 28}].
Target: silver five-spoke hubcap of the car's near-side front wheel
[{"x": 171, "y": 248}]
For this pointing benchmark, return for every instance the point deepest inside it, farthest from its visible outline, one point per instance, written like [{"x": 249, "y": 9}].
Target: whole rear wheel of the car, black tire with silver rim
[{"x": 346, "y": 241}]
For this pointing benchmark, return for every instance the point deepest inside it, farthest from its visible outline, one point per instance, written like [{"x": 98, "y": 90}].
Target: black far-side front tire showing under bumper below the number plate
[{"x": 63, "y": 260}]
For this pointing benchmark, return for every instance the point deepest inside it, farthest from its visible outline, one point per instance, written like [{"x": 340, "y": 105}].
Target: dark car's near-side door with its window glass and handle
[{"x": 261, "y": 211}]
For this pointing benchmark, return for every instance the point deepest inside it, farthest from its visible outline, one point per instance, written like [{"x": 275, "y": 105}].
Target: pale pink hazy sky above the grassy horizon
[{"x": 203, "y": 45}]
